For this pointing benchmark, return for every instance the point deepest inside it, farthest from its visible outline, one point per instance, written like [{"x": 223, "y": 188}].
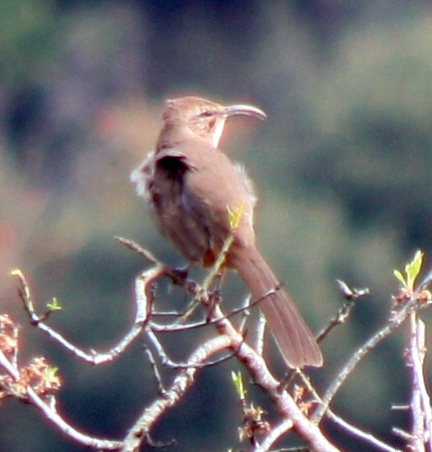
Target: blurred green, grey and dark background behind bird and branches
[{"x": 342, "y": 168}]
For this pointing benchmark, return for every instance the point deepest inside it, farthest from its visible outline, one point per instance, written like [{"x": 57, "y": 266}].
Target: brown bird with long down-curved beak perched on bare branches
[{"x": 191, "y": 185}]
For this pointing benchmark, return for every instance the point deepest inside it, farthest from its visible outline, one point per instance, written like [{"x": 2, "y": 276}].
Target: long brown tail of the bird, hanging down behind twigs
[{"x": 294, "y": 338}]
